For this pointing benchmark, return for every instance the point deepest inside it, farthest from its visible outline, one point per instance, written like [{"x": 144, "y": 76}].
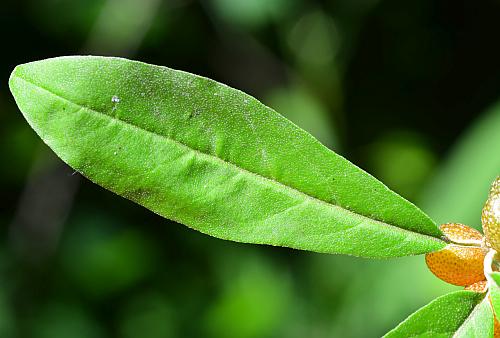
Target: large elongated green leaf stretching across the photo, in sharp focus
[{"x": 213, "y": 158}]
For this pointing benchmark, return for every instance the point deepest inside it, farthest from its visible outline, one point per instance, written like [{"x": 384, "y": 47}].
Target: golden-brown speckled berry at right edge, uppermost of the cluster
[{"x": 491, "y": 216}]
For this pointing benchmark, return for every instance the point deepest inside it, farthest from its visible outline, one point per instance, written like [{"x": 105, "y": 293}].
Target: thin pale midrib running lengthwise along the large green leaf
[{"x": 218, "y": 159}]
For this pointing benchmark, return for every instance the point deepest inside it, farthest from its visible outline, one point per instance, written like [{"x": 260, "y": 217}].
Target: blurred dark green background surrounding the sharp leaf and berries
[{"x": 405, "y": 89}]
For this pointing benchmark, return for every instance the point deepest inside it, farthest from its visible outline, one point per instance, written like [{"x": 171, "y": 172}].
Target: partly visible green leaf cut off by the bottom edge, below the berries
[{"x": 457, "y": 314}]
